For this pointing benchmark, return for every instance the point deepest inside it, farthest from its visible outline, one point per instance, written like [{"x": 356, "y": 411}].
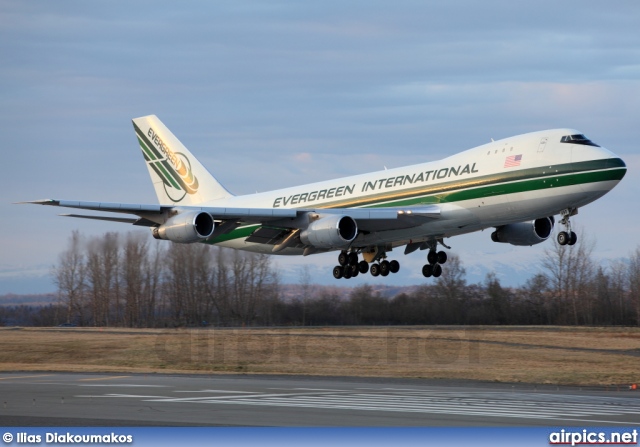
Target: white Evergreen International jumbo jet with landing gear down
[{"x": 515, "y": 185}]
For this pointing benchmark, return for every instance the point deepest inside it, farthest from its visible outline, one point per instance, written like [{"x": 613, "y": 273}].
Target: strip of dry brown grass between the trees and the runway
[{"x": 546, "y": 355}]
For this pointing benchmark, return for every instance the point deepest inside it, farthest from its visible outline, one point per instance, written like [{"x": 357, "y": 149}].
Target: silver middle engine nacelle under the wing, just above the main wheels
[{"x": 330, "y": 232}]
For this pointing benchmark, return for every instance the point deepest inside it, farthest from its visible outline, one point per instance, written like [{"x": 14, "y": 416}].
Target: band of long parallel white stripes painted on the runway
[{"x": 484, "y": 404}]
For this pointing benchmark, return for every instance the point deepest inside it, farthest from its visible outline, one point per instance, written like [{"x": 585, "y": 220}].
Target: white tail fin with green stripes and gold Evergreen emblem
[{"x": 177, "y": 176}]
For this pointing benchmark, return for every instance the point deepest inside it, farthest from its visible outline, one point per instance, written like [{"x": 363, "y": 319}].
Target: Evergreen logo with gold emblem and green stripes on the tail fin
[{"x": 174, "y": 168}]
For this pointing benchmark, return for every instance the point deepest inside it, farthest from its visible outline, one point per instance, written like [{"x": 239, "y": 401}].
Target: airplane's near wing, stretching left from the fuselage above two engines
[{"x": 368, "y": 219}]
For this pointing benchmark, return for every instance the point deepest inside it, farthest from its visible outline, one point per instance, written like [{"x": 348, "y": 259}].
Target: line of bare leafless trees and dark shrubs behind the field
[{"x": 129, "y": 280}]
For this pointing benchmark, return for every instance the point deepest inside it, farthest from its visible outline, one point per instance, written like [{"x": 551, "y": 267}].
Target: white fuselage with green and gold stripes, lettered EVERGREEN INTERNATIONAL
[{"x": 475, "y": 189}]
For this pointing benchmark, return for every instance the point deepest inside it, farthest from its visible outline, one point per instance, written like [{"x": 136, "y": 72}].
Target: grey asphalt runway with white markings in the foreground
[{"x": 61, "y": 399}]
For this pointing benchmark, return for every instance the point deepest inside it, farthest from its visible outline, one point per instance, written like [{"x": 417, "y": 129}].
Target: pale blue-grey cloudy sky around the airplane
[{"x": 275, "y": 94}]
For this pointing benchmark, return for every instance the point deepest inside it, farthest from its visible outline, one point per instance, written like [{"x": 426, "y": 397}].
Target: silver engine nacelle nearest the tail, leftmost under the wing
[{"x": 193, "y": 226}]
